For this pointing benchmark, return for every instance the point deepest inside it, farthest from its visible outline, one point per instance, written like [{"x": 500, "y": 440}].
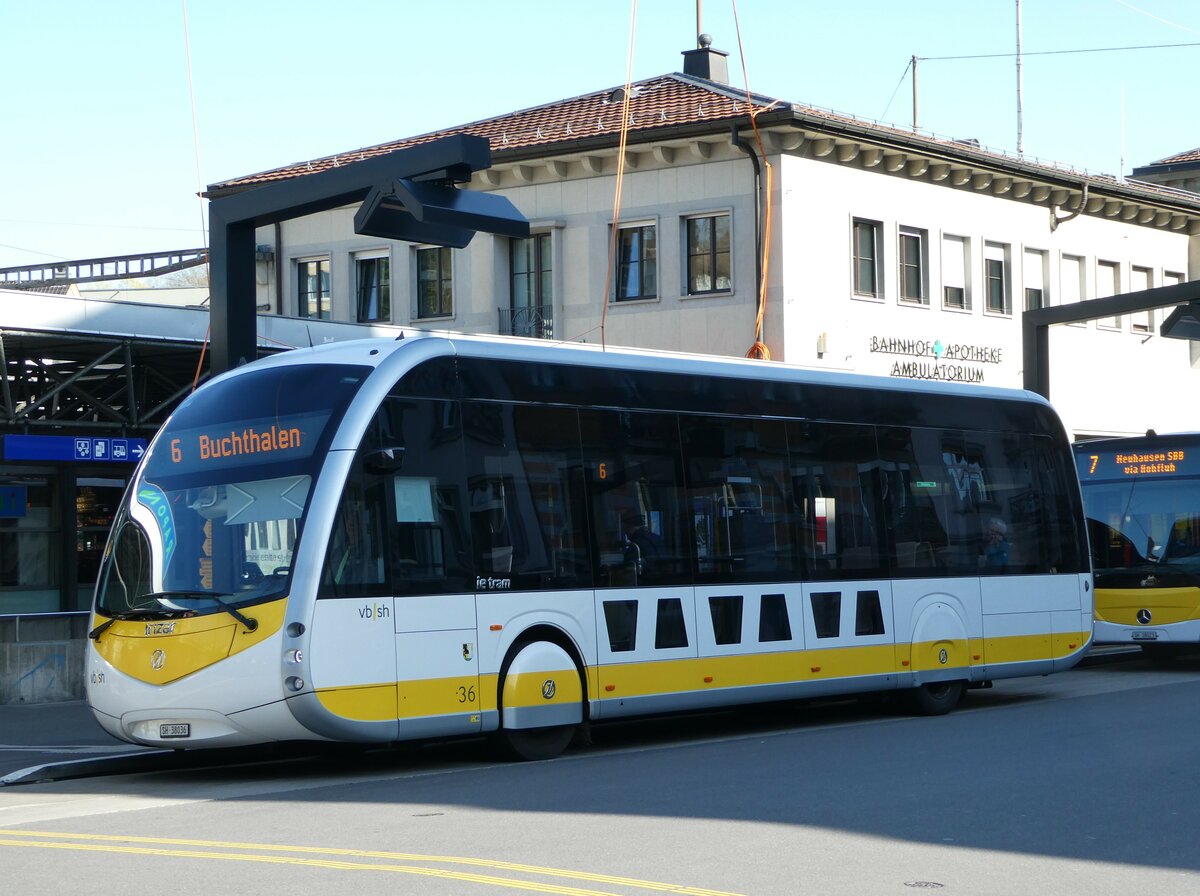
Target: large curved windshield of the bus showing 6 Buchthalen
[{"x": 215, "y": 513}]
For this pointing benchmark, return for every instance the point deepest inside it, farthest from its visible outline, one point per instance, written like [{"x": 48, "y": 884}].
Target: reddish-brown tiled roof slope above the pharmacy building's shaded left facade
[{"x": 670, "y": 100}]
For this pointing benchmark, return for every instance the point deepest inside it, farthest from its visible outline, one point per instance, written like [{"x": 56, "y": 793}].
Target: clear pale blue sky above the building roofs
[{"x": 117, "y": 115}]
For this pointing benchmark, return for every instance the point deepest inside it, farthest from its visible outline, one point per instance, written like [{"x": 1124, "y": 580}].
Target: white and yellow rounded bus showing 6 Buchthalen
[{"x": 387, "y": 540}]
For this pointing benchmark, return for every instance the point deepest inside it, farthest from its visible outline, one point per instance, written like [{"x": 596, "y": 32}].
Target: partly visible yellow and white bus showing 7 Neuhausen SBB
[{"x": 1142, "y": 497}]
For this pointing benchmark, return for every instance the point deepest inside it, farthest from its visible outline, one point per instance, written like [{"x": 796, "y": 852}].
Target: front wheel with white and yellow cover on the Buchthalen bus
[{"x": 542, "y": 695}]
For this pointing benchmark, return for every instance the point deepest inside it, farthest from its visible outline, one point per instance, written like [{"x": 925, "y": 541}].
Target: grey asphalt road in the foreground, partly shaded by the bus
[{"x": 1083, "y": 783}]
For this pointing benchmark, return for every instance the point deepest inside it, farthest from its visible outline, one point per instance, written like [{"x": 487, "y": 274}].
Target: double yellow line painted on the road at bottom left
[{"x": 109, "y": 843}]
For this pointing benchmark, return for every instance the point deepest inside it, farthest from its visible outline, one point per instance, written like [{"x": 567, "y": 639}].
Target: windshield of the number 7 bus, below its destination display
[{"x": 1139, "y": 526}]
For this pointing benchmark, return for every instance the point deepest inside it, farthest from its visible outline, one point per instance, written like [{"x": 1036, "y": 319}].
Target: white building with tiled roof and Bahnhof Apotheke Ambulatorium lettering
[{"x": 887, "y": 251}]
